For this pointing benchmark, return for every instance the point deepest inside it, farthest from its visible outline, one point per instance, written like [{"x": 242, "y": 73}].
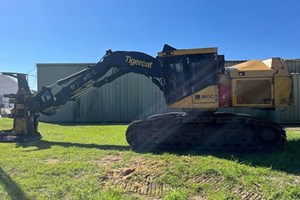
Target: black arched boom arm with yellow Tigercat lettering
[{"x": 121, "y": 62}]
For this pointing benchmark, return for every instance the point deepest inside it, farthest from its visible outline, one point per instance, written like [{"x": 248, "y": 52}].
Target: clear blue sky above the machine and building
[{"x": 44, "y": 31}]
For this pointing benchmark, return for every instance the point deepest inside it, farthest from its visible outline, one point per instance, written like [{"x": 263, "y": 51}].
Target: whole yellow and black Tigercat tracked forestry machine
[{"x": 194, "y": 80}]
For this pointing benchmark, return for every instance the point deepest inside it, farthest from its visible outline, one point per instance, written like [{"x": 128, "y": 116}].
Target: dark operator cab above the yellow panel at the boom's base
[{"x": 189, "y": 71}]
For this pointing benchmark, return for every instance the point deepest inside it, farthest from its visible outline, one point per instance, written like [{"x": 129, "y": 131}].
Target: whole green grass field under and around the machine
[{"x": 95, "y": 162}]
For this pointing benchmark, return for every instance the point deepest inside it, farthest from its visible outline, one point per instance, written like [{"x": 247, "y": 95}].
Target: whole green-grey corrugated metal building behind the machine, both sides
[{"x": 134, "y": 96}]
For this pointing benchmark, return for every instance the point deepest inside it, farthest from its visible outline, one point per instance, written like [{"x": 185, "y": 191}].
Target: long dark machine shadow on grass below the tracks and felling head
[{"x": 285, "y": 159}]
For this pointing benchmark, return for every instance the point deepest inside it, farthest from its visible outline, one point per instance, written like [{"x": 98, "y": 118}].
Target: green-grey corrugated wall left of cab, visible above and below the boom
[{"x": 128, "y": 98}]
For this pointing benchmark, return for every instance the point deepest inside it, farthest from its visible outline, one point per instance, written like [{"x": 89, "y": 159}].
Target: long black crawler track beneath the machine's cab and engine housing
[{"x": 218, "y": 131}]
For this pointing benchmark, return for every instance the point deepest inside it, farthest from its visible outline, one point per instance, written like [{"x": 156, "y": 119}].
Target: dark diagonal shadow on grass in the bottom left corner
[{"x": 11, "y": 187}]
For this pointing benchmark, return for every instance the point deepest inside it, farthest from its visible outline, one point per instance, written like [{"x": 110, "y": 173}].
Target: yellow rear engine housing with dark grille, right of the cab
[{"x": 261, "y": 83}]
